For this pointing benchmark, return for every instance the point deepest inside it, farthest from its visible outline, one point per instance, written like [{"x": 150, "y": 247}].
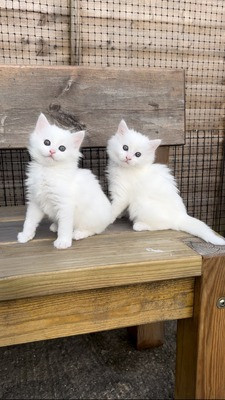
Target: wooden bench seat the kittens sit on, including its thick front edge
[{"x": 115, "y": 258}]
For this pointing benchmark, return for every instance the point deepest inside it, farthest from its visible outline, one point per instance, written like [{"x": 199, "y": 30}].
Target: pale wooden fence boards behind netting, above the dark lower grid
[{"x": 126, "y": 34}]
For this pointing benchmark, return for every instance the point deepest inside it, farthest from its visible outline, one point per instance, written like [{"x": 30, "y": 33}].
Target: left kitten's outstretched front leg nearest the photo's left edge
[{"x": 34, "y": 216}]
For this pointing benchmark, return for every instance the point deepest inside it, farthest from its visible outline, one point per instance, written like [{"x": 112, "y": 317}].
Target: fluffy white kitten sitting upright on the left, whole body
[{"x": 71, "y": 197}]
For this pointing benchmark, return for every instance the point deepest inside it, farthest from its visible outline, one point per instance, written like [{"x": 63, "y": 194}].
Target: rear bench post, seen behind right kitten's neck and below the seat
[{"x": 150, "y": 335}]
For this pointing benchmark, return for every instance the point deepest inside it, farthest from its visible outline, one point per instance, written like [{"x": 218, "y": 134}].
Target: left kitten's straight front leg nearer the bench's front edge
[{"x": 65, "y": 229}]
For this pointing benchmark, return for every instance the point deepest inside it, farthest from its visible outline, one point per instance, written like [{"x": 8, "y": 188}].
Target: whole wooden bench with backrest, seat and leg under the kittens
[{"x": 120, "y": 278}]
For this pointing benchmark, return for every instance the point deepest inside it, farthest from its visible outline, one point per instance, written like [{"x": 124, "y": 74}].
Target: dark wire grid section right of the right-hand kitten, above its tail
[{"x": 199, "y": 169}]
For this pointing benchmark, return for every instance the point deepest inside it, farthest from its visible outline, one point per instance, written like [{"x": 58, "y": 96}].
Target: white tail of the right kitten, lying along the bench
[{"x": 200, "y": 229}]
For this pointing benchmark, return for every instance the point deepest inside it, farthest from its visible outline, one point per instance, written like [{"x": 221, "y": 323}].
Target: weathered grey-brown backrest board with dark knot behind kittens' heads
[{"x": 94, "y": 99}]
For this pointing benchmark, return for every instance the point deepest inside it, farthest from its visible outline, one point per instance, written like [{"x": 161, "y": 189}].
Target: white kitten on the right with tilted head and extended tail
[{"x": 148, "y": 190}]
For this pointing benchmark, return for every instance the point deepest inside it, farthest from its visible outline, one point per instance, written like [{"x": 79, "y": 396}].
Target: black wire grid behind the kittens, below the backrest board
[{"x": 199, "y": 173}]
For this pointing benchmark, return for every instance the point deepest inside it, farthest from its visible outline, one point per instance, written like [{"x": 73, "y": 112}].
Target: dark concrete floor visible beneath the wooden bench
[{"x": 102, "y": 365}]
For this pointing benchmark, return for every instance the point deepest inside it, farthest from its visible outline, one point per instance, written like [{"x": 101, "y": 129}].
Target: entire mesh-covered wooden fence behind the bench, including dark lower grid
[{"x": 187, "y": 34}]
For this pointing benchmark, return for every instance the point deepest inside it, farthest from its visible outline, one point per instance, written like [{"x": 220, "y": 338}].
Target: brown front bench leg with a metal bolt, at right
[{"x": 200, "y": 370}]
